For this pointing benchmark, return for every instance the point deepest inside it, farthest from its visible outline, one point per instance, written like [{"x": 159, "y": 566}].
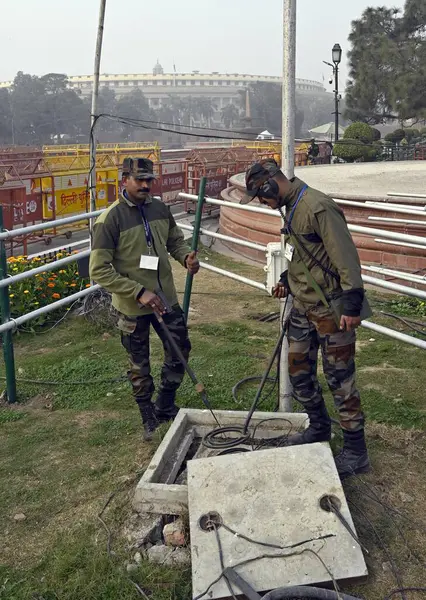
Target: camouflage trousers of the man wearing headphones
[{"x": 307, "y": 333}]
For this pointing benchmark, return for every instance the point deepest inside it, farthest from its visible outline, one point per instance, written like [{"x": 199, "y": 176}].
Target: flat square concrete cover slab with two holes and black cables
[{"x": 271, "y": 496}]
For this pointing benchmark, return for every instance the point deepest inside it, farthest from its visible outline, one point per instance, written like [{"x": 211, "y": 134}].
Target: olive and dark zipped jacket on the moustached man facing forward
[{"x": 119, "y": 241}]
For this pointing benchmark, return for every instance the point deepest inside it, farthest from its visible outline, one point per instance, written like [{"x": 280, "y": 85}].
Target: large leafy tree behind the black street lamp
[{"x": 388, "y": 64}]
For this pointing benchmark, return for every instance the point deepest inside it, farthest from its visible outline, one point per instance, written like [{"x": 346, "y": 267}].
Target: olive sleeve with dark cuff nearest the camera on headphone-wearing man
[{"x": 330, "y": 224}]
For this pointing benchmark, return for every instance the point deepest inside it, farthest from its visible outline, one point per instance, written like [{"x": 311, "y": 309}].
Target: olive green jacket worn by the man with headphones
[{"x": 321, "y": 227}]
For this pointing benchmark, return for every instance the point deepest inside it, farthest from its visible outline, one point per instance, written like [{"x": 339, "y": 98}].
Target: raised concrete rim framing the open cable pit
[{"x": 156, "y": 491}]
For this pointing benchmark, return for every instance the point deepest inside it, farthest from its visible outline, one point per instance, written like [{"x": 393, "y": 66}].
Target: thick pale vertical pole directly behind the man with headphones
[{"x": 288, "y": 120}]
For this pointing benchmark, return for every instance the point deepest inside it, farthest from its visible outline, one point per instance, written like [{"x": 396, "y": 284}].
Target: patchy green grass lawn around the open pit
[{"x": 66, "y": 447}]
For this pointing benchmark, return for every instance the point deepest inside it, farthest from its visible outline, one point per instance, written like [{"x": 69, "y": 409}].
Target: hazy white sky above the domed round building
[{"x": 235, "y": 36}]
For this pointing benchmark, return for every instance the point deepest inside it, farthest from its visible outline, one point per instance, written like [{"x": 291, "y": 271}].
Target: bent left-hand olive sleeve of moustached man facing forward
[{"x": 104, "y": 244}]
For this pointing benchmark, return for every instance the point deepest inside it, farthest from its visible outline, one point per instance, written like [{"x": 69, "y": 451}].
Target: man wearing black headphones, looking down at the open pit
[{"x": 324, "y": 273}]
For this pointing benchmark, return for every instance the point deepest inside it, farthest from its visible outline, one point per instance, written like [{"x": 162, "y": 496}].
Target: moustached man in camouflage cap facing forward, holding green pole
[{"x": 129, "y": 258}]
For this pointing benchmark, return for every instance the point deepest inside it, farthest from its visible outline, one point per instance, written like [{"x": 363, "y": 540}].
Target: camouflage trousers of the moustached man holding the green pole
[{"x": 135, "y": 339}]
